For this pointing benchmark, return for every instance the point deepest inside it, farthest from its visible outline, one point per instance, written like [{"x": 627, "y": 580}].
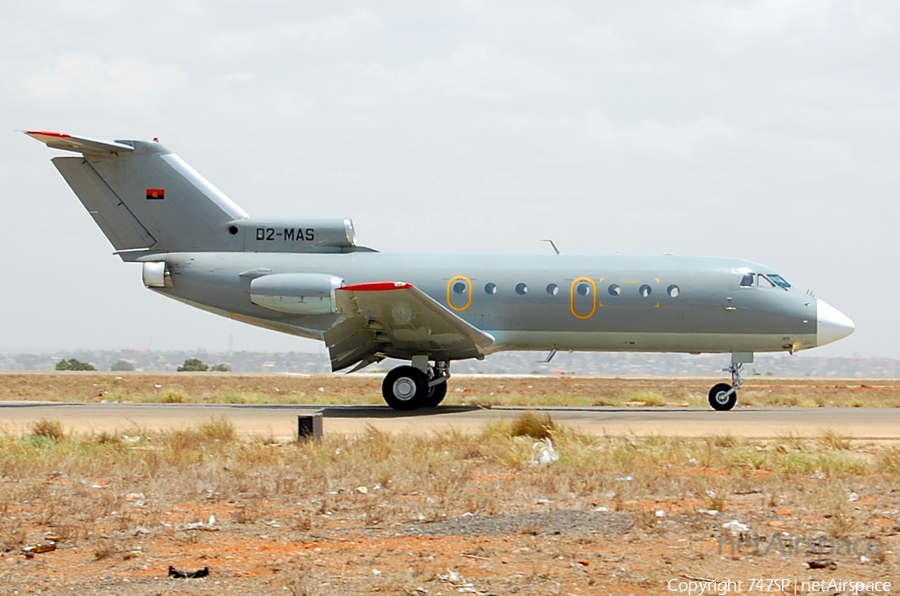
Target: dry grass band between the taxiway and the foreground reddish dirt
[{"x": 210, "y": 464}]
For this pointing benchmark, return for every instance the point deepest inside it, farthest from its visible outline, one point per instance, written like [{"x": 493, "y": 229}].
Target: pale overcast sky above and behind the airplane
[{"x": 766, "y": 130}]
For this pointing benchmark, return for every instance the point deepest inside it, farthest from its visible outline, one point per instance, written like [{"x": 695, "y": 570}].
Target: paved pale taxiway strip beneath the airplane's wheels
[{"x": 281, "y": 421}]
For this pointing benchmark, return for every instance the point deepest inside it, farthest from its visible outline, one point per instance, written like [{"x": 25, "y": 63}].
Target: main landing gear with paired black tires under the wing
[{"x": 418, "y": 386}]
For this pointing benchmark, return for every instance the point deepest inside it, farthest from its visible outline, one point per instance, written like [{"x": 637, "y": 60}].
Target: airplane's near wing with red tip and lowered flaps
[{"x": 396, "y": 319}]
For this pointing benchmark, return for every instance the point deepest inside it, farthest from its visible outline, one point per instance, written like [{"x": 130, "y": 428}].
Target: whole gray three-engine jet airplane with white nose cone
[{"x": 310, "y": 278}]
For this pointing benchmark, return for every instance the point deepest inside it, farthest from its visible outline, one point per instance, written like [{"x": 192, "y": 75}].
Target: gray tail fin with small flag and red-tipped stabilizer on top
[{"x": 143, "y": 196}]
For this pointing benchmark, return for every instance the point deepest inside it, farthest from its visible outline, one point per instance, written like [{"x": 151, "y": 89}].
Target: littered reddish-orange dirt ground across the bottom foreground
[{"x": 531, "y": 546}]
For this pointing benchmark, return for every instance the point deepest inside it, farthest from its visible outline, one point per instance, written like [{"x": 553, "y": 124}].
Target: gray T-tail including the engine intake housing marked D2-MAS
[{"x": 147, "y": 200}]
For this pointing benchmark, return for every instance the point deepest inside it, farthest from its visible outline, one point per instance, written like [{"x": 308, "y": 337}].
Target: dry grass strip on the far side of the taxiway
[{"x": 470, "y": 390}]
